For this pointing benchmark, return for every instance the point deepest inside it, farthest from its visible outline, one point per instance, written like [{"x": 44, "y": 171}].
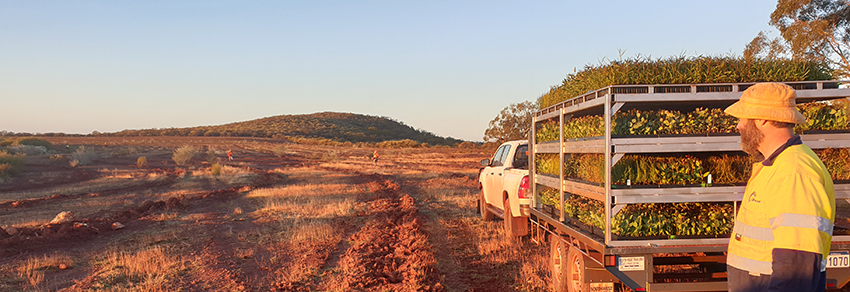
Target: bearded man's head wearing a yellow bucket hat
[{"x": 764, "y": 105}]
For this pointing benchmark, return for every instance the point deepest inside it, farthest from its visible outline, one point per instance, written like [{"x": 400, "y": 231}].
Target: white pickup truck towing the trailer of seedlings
[{"x": 505, "y": 189}]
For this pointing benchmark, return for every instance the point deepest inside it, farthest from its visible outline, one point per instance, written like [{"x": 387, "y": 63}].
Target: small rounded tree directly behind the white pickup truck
[{"x": 513, "y": 123}]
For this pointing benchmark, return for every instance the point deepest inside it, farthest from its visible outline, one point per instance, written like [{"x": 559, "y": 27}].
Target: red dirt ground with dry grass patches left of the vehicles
[{"x": 279, "y": 217}]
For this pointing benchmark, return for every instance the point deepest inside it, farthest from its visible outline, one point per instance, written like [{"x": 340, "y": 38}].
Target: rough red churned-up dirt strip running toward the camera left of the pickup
[{"x": 389, "y": 251}]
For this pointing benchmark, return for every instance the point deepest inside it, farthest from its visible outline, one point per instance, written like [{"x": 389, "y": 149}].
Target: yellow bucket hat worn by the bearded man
[{"x": 768, "y": 101}]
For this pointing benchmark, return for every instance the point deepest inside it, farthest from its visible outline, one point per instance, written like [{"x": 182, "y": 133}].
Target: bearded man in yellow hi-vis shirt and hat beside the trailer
[{"x": 783, "y": 231}]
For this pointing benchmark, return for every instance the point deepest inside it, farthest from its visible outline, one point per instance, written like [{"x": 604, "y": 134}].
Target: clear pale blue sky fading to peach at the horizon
[{"x": 446, "y": 67}]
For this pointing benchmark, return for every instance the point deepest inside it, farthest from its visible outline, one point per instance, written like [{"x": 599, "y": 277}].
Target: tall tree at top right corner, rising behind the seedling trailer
[{"x": 817, "y": 30}]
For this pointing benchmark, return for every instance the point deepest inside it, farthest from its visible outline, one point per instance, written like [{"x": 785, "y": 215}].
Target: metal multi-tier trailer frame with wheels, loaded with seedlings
[{"x": 587, "y": 258}]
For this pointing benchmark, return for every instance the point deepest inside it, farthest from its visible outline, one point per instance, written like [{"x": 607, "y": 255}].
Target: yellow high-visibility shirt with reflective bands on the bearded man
[{"x": 789, "y": 203}]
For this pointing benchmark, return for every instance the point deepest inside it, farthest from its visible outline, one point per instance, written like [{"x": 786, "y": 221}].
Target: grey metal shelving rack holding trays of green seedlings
[{"x": 607, "y": 101}]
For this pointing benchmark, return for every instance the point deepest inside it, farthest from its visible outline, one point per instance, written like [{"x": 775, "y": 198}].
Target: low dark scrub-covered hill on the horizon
[{"x": 341, "y": 127}]
